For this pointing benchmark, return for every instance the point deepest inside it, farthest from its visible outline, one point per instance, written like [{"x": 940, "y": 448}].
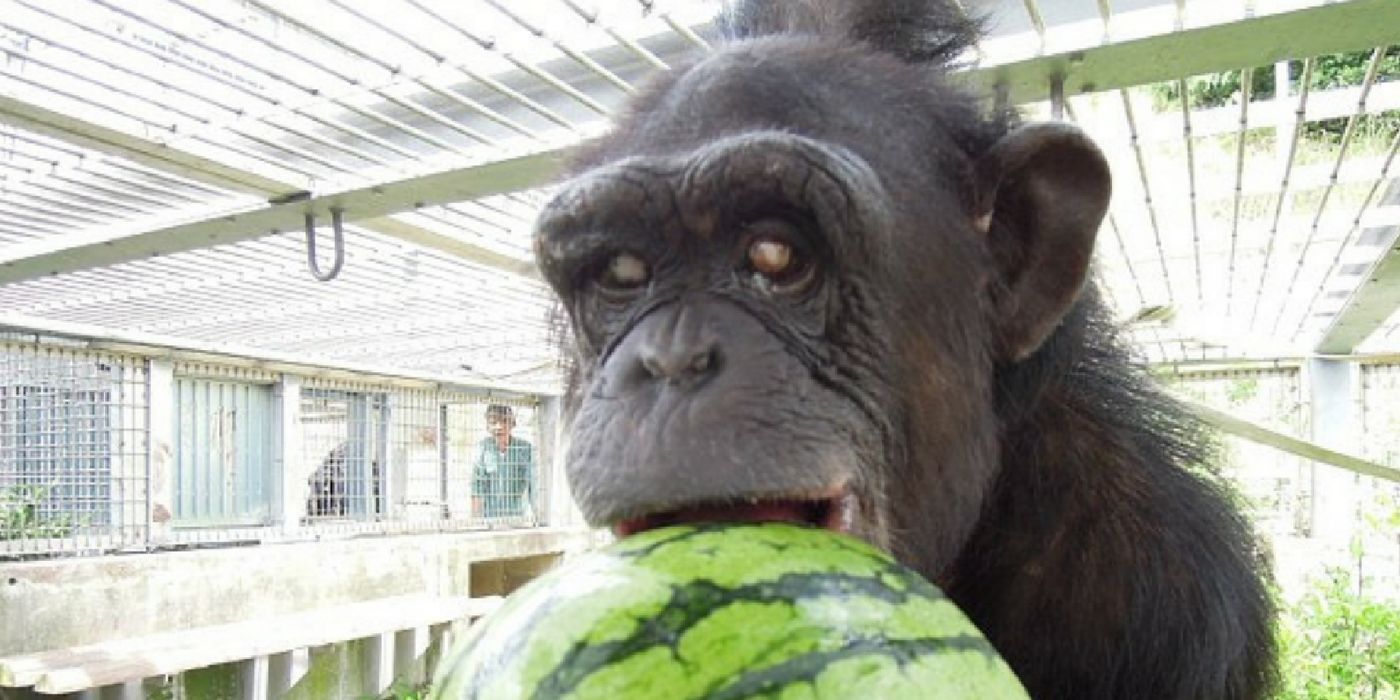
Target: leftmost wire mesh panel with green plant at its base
[{"x": 73, "y": 451}]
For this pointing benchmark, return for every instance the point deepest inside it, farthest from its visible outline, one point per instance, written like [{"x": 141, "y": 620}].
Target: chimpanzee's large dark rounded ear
[{"x": 1042, "y": 191}]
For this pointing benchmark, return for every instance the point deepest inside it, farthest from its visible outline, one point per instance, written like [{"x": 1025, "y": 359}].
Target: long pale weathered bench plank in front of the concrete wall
[{"x": 121, "y": 661}]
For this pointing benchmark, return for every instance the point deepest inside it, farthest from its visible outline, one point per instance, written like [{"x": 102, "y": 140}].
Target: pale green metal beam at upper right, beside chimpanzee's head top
[{"x": 1259, "y": 41}]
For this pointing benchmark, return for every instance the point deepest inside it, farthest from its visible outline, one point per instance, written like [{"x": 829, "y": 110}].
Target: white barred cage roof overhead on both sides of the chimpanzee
[{"x": 141, "y": 185}]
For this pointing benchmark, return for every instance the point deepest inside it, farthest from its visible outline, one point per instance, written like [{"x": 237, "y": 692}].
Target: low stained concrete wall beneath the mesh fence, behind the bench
[{"x": 55, "y": 604}]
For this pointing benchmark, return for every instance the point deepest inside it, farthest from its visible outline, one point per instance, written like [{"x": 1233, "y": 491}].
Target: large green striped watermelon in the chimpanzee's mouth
[{"x": 719, "y": 611}]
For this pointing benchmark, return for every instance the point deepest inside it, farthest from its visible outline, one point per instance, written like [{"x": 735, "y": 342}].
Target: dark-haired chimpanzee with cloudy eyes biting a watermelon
[{"x": 810, "y": 279}]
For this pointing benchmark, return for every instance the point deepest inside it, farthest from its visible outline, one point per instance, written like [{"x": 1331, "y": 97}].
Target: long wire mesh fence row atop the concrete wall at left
[{"x": 240, "y": 457}]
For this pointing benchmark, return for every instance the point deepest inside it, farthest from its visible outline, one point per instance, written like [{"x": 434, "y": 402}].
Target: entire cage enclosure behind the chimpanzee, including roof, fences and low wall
[{"x": 268, "y": 278}]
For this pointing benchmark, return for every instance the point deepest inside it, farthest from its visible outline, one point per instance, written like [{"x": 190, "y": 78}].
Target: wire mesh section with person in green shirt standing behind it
[{"x": 457, "y": 460}]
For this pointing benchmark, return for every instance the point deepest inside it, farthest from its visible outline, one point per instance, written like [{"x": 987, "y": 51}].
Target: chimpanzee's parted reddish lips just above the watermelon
[{"x": 834, "y": 510}]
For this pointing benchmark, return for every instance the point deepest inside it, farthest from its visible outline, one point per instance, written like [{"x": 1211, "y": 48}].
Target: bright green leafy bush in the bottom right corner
[{"x": 1339, "y": 645}]
